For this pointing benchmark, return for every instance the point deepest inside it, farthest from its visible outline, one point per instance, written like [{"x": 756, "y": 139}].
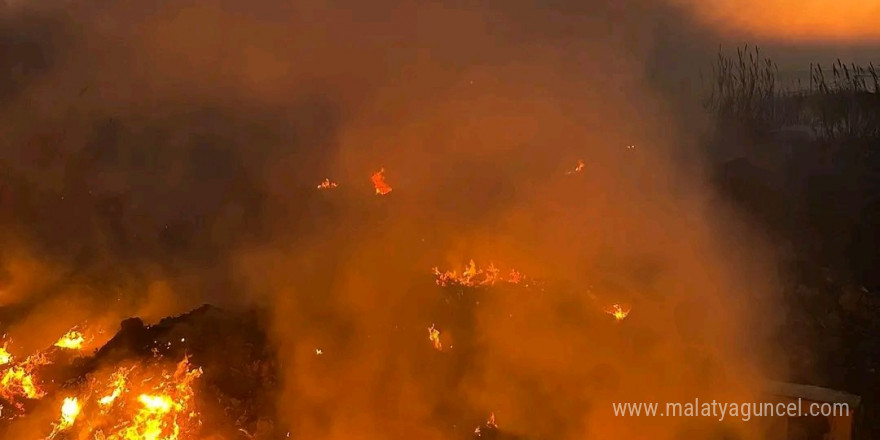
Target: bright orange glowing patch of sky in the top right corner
[{"x": 790, "y": 20}]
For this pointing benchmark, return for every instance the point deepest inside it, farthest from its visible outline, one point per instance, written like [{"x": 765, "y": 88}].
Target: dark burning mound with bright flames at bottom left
[{"x": 133, "y": 389}]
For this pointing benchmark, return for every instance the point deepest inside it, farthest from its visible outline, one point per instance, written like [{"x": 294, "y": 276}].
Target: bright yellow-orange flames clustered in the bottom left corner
[{"x": 140, "y": 402}]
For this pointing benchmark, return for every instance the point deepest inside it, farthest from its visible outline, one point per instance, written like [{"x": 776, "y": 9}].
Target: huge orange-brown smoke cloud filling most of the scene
[{"x": 165, "y": 154}]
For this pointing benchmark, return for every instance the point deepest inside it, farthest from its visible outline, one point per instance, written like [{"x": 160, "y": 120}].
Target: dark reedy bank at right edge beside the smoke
[{"x": 809, "y": 172}]
